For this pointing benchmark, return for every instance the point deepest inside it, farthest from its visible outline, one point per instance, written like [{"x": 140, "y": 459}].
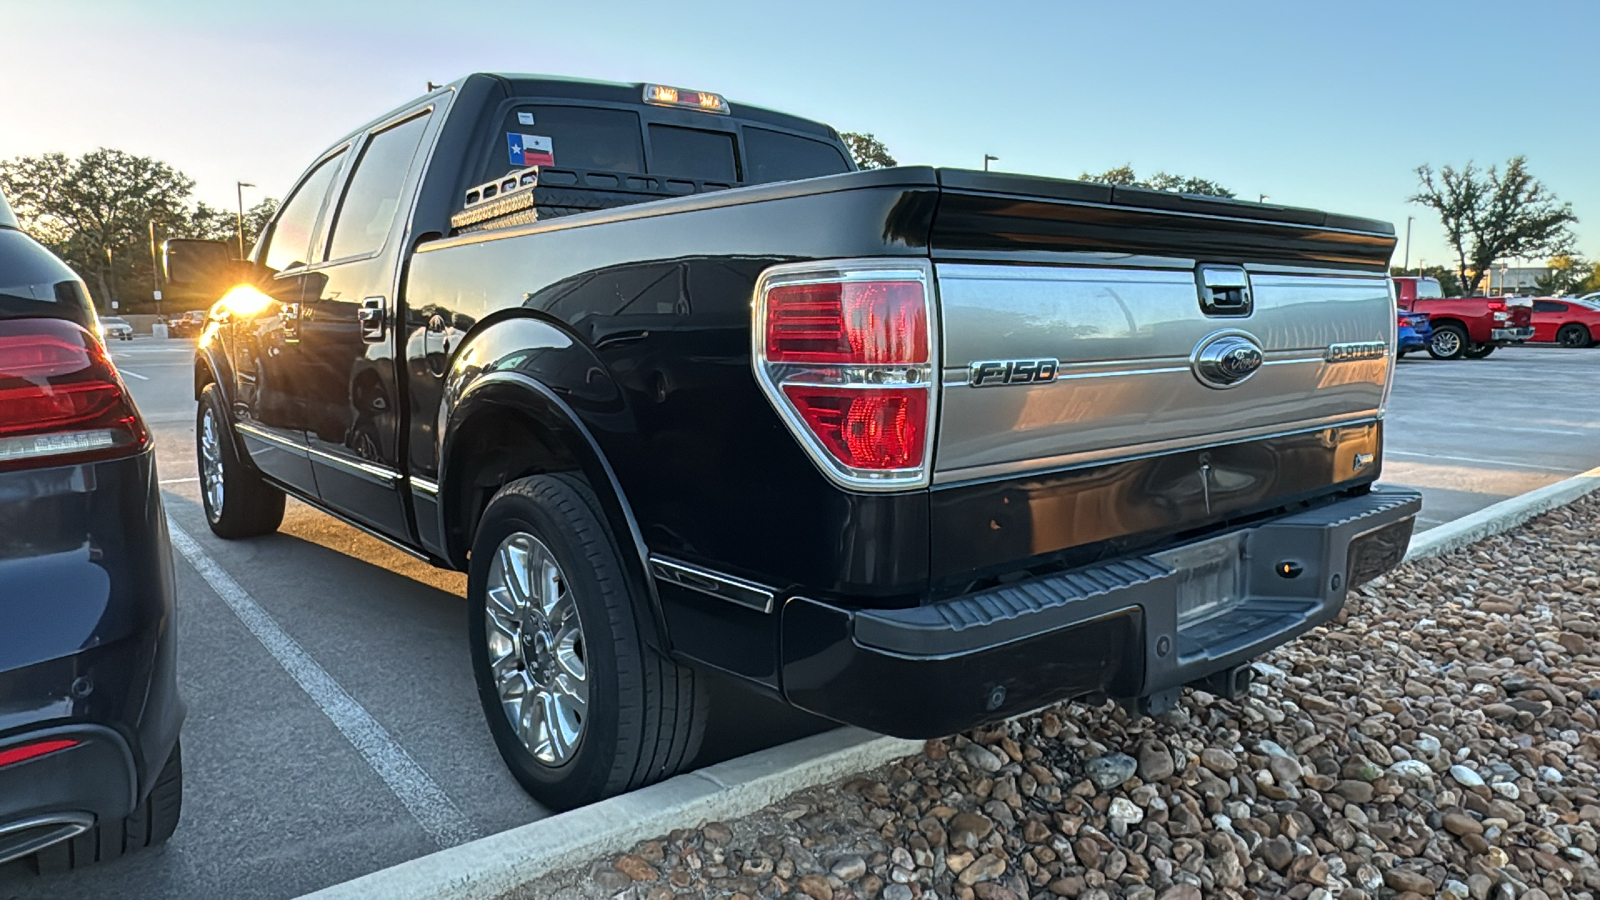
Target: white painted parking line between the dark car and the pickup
[{"x": 433, "y": 810}]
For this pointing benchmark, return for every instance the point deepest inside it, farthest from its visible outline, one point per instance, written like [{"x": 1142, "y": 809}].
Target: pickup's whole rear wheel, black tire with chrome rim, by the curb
[{"x": 644, "y": 717}]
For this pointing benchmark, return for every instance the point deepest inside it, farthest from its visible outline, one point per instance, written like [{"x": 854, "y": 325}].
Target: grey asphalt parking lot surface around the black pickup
[{"x": 334, "y": 728}]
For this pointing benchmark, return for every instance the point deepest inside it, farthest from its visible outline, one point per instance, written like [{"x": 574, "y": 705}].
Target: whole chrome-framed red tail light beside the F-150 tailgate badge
[{"x": 846, "y": 353}]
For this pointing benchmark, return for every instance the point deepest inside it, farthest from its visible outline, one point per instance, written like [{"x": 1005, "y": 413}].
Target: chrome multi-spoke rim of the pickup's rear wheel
[{"x": 537, "y": 649}]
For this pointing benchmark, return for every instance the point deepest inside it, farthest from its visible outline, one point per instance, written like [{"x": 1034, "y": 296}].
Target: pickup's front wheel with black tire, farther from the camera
[{"x": 239, "y": 504}]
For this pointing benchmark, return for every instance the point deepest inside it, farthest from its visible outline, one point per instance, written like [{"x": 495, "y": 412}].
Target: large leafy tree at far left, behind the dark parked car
[{"x": 95, "y": 211}]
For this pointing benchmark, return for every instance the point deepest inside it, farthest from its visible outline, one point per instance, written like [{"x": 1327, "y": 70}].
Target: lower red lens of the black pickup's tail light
[{"x": 884, "y": 428}]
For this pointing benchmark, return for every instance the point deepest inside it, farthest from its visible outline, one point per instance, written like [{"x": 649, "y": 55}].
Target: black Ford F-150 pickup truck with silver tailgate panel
[{"x": 910, "y": 449}]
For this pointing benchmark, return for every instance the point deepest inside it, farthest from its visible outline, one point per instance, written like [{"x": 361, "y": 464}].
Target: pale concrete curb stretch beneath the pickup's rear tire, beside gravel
[{"x": 730, "y": 790}]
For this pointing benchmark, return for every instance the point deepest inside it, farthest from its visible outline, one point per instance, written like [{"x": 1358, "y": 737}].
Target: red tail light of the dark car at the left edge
[{"x": 62, "y": 400}]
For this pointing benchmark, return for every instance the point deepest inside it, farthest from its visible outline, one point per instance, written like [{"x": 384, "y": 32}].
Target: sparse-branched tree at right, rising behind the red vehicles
[{"x": 1494, "y": 215}]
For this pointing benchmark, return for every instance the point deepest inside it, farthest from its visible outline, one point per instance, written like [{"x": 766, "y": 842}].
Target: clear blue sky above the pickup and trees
[{"x": 1321, "y": 105}]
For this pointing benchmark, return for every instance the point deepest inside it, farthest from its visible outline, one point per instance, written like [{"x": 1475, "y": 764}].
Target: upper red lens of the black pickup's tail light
[{"x": 850, "y": 323}]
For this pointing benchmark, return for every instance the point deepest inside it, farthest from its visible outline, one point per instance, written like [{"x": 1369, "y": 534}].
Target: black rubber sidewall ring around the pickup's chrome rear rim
[{"x": 591, "y": 769}]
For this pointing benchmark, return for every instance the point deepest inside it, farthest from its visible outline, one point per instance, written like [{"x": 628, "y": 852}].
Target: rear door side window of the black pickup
[{"x": 374, "y": 196}]
